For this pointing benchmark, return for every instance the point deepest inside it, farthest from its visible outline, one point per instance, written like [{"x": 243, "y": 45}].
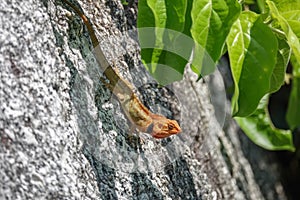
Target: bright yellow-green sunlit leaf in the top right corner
[{"x": 291, "y": 37}]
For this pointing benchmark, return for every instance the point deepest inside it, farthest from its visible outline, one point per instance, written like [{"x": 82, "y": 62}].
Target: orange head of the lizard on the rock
[{"x": 162, "y": 127}]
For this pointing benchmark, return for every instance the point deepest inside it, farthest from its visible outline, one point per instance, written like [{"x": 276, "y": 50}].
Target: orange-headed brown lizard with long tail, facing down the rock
[{"x": 138, "y": 114}]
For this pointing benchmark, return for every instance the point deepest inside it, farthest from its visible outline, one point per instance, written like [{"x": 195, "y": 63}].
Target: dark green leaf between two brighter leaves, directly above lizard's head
[{"x": 177, "y": 45}]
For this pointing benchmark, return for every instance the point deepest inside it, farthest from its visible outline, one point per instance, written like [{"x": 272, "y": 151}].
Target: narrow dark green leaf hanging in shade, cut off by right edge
[{"x": 293, "y": 111}]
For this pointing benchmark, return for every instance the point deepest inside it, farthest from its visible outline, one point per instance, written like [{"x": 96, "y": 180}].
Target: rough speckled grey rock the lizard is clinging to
[{"x": 63, "y": 136}]
